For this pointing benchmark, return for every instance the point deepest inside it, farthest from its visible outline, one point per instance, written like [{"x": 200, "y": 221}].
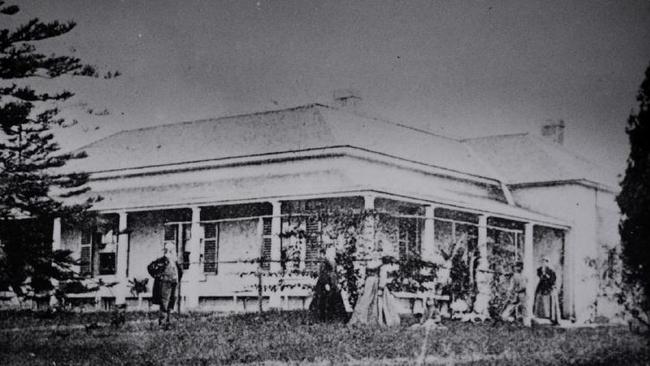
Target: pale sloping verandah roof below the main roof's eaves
[{"x": 315, "y": 185}]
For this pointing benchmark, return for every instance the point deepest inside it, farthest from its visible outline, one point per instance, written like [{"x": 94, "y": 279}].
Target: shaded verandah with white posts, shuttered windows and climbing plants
[{"x": 228, "y": 249}]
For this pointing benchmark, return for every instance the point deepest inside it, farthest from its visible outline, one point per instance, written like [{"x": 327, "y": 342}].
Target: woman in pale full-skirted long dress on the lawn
[{"x": 376, "y": 305}]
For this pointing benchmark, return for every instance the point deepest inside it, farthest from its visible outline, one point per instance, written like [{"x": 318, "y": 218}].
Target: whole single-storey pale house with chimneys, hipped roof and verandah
[{"x": 226, "y": 191}]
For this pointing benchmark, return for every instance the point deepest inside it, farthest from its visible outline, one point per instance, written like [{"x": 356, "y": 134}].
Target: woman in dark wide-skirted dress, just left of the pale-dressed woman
[{"x": 327, "y": 302}]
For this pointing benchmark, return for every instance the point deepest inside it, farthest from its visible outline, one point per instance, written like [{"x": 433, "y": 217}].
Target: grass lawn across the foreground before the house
[{"x": 292, "y": 337}]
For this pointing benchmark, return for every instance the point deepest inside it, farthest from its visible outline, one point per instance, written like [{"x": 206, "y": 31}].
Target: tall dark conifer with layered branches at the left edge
[{"x": 32, "y": 184}]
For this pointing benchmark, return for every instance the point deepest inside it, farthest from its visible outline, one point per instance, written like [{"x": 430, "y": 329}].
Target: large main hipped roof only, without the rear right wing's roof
[{"x": 297, "y": 129}]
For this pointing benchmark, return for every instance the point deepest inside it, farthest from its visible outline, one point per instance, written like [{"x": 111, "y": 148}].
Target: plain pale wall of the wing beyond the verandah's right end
[{"x": 581, "y": 206}]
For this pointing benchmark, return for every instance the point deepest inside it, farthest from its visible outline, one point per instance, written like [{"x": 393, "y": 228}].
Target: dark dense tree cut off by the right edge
[{"x": 634, "y": 202}]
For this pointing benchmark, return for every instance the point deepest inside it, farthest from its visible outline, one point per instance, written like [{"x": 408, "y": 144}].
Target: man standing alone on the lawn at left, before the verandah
[{"x": 167, "y": 273}]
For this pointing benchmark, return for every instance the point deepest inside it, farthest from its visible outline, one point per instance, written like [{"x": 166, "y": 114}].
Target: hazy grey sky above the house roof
[{"x": 457, "y": 68}]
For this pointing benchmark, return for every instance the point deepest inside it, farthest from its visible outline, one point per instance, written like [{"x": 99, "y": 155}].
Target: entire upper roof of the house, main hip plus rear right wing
[{"x": 512, "y": 159}]
